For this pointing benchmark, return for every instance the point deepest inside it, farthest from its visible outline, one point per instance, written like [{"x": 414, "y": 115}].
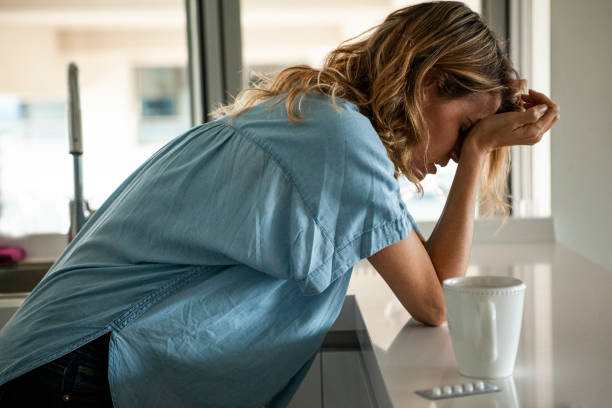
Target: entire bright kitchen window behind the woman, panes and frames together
[{"x": 132, "y": 59}]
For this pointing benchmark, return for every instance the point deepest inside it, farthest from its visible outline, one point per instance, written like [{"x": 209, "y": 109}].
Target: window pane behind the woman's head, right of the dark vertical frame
[{"x": 272, "y": 31}]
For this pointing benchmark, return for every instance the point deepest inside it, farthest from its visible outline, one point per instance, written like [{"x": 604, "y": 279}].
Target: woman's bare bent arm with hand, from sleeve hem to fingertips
[{"x": 415, "y": 269}]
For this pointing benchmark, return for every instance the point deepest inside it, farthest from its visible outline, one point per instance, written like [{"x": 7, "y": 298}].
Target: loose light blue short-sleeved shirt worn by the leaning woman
[{"x": 221, "y": 262}]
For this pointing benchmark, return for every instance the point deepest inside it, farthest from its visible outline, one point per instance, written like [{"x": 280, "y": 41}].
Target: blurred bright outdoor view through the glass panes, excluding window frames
[{"x": 132, "y": 57}]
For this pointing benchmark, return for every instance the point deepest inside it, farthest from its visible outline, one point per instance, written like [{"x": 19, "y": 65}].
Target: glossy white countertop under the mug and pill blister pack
[{"x": 565, "y": 351}]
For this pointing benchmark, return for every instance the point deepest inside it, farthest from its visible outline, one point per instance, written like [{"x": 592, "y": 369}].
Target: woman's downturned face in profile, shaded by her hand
[{"x": 448, "y": 121}]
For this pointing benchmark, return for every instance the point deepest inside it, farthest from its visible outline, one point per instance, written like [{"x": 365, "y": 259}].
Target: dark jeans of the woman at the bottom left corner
[{"x": 78, "y": 379}]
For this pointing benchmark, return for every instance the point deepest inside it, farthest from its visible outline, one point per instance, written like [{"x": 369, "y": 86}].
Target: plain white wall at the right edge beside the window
[{"x": 581, "y": 144}]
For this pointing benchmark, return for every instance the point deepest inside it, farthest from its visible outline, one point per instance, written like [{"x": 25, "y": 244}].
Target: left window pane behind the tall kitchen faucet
[{"x": 132, "y": 59}]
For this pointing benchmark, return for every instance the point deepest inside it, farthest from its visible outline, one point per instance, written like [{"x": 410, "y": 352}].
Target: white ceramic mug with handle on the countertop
[{"x": 484, "y": 315}]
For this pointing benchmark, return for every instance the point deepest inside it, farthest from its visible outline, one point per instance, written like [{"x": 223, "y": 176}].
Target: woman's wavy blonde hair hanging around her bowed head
[{"x": 385, "y": 74}]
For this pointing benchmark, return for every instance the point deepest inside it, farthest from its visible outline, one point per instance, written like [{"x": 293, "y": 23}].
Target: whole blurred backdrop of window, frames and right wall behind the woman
[{"x": 146, "y": 77}]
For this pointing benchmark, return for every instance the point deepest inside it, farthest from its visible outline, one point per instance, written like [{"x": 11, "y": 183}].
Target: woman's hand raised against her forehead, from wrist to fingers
[{"x": 514, "y": 128}]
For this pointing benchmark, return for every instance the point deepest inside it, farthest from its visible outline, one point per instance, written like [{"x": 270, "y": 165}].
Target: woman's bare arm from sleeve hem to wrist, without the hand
[{"x": 415, "y": 271}]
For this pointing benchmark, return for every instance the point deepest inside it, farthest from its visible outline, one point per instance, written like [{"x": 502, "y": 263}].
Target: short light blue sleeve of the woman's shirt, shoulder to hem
[{"x": 329, "y": 200}]
